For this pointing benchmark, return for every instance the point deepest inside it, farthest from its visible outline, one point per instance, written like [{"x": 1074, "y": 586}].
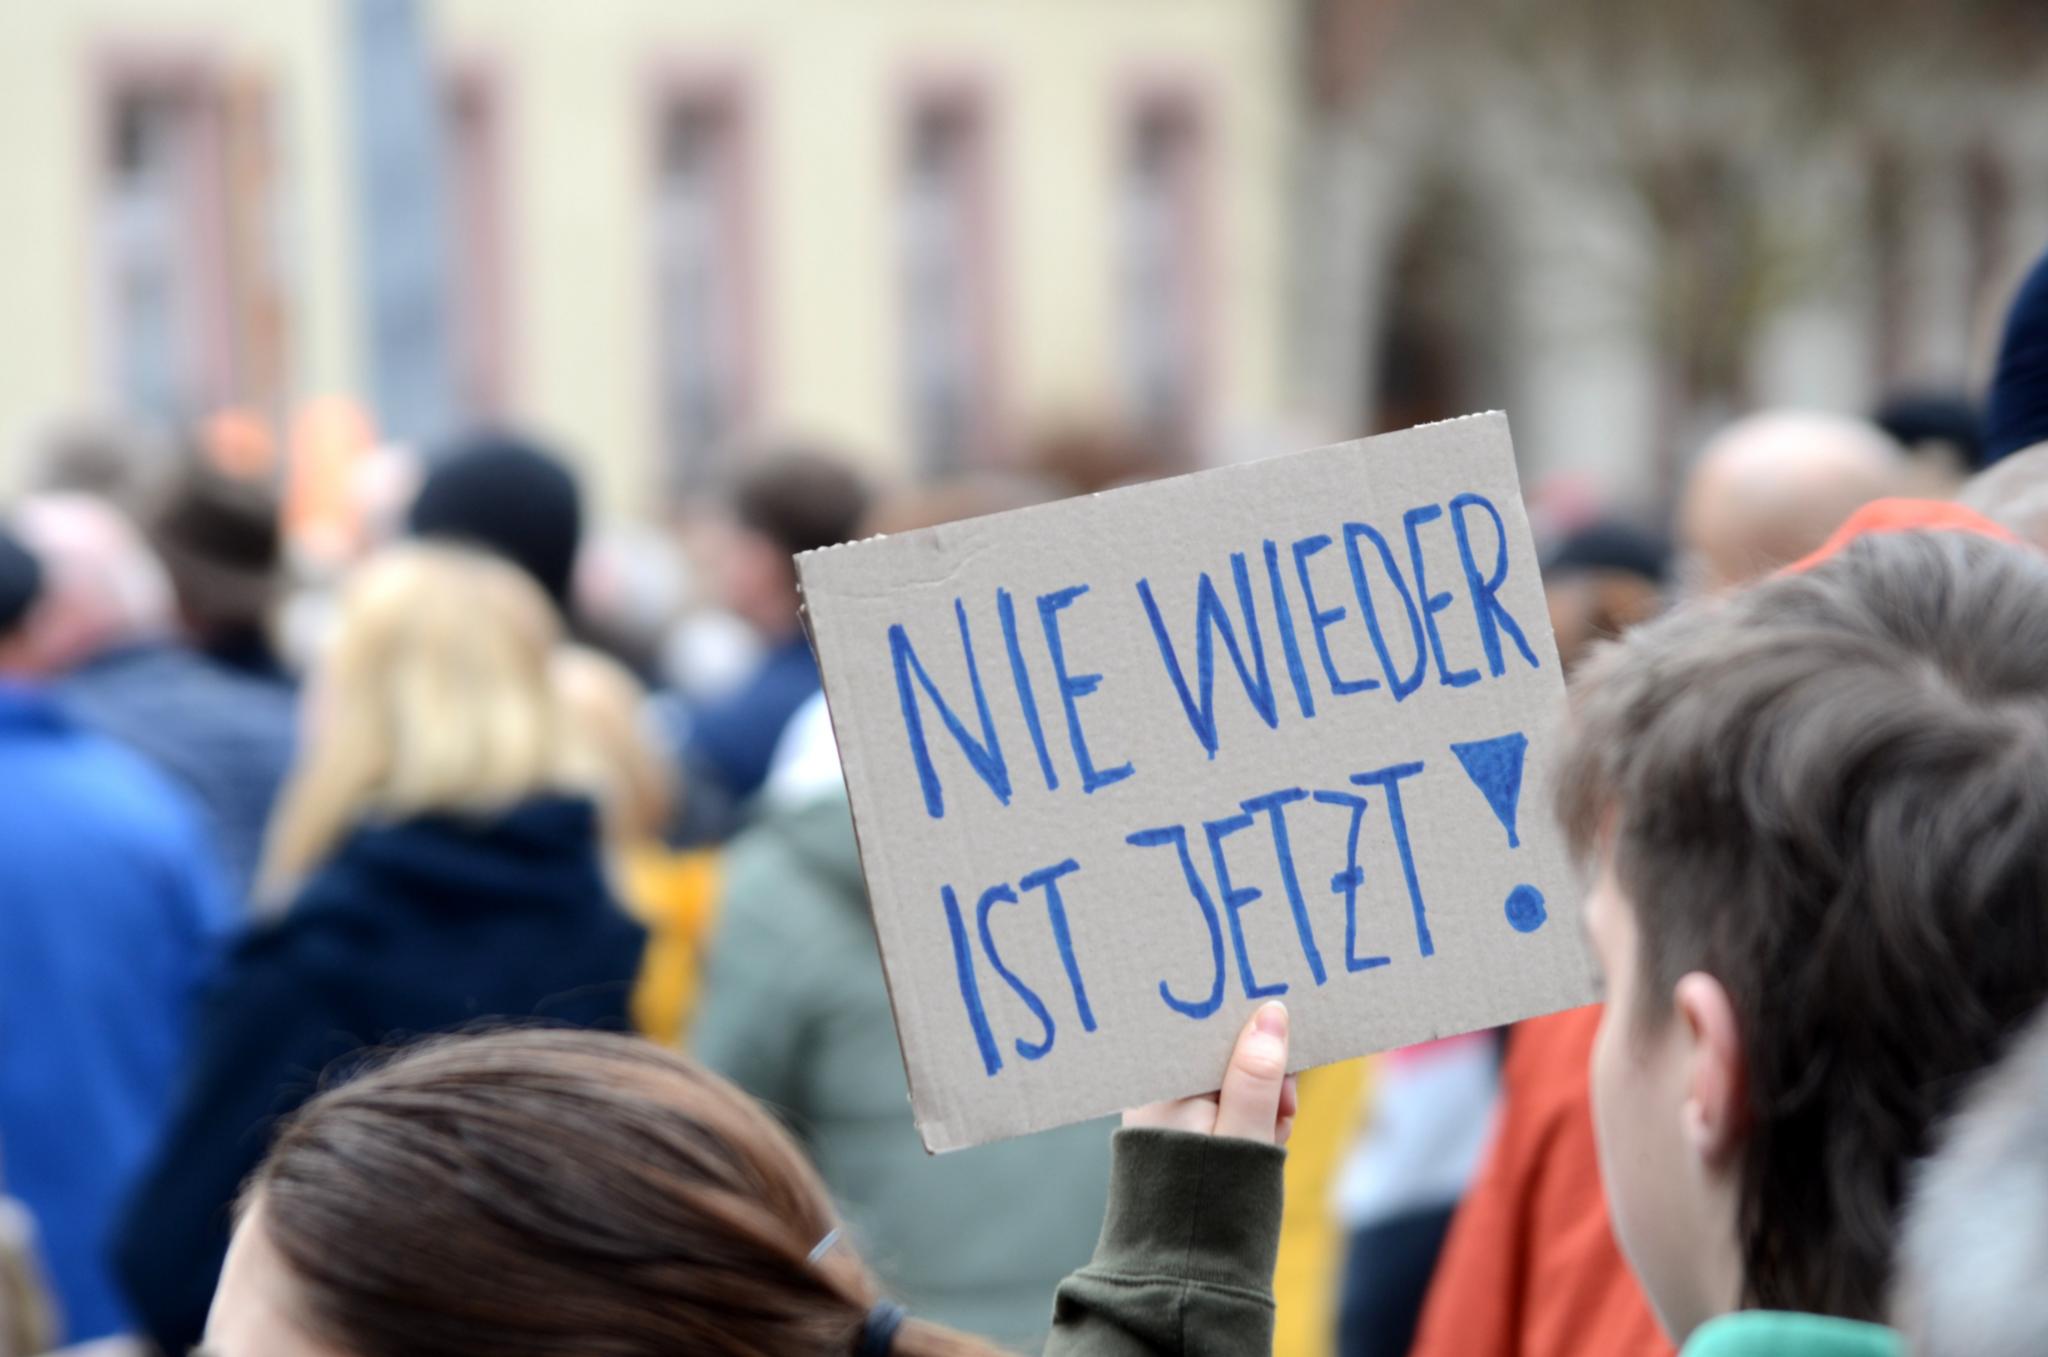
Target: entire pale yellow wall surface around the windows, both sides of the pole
[{"x": 828, "y": 83}]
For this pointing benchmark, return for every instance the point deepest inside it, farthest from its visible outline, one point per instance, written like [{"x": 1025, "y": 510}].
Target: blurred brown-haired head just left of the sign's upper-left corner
[{"x": 783, "y": 505}]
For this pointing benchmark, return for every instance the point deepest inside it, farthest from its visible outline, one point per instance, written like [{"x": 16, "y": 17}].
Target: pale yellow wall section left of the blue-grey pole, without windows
[{"x": 50, "y": 351}]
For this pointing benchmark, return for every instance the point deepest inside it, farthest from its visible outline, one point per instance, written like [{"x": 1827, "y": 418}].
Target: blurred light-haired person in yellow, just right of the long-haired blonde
[{"x": 671, "y": 891}]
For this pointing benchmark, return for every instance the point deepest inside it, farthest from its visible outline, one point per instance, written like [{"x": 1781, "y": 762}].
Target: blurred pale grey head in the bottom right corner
[{"x": 1975, "y": 1241}]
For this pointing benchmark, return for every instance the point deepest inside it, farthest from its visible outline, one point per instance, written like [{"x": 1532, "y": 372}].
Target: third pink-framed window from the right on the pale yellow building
[{"x": 699, "y": 238}]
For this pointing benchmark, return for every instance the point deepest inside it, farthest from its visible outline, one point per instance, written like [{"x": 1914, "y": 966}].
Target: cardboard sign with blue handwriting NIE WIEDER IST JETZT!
[{"x": 1127, "y": 767}]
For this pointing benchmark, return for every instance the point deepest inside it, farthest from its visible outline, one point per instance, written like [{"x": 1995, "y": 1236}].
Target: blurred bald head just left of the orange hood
[{"x": 1770, "y": 488}]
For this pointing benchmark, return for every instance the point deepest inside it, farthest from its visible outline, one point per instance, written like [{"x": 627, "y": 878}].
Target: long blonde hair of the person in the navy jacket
[{"x": 435, "y": 695}]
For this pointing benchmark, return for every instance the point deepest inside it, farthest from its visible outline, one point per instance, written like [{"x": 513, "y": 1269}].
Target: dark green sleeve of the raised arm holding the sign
[{"x": 1187, "y": 1254}]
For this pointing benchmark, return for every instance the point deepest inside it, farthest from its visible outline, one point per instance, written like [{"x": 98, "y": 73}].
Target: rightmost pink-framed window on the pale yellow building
[{"x": 1162, "y": 269}]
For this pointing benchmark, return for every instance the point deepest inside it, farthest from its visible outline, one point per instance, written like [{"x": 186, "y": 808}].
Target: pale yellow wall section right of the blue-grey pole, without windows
[{"x": 828, "y": 85}]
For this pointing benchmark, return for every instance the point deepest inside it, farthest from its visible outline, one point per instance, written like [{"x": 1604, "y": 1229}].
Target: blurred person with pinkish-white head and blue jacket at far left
[{"x": 105, "y": 640}]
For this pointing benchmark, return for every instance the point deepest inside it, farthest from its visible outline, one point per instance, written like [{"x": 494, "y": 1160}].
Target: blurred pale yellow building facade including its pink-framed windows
[{"x": 912, "y": 226}]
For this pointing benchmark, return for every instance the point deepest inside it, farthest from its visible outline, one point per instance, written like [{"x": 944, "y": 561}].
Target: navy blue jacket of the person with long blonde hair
[{"x": 415, "y": 928}]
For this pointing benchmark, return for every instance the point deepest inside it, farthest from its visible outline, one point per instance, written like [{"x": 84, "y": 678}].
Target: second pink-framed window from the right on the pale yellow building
[{"x": 945, "y": 281}]
